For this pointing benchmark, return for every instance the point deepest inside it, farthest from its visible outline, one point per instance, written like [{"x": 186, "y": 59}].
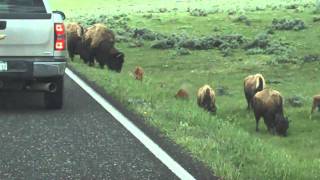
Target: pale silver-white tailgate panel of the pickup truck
[{"x": 28, "y": 37}]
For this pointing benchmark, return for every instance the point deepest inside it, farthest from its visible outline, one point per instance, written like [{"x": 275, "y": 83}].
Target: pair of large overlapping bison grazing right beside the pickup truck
[{"x": 94, "y": 43}]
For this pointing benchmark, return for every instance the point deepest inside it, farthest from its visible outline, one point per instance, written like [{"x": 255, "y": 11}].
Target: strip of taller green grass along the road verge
[{"x": 229, "y": 150}]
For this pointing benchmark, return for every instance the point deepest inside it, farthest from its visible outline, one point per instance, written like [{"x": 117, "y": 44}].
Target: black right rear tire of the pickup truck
[{"x": 55, "y": 100}]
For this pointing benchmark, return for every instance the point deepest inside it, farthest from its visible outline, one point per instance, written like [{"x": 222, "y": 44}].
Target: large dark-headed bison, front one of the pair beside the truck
[{"x": 98, "y": 42}]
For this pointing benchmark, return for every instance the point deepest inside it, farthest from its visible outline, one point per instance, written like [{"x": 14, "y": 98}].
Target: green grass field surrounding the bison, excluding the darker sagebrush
[{"x": 227, "y": 142}]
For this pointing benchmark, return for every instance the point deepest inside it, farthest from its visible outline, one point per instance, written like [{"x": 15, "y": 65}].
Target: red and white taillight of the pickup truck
[{"x": 59, "y": 37}]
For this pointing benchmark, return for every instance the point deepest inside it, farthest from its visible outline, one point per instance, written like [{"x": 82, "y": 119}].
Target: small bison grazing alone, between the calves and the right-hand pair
[{"x": 206, "y": 98}]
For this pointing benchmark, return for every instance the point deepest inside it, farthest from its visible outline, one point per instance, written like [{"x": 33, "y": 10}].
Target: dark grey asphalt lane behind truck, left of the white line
[{"x": 82, "y": 141}]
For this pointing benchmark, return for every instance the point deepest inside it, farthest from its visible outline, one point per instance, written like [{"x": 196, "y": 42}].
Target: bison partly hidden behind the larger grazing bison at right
[{"x": 252, "y": 85}]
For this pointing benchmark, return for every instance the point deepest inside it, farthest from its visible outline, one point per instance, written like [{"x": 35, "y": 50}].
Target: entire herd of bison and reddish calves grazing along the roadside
[{"x": 97, "y": 43}]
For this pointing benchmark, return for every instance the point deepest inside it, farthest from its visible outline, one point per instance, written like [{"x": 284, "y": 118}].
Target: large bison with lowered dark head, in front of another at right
[{"x": 268, "y": 104}]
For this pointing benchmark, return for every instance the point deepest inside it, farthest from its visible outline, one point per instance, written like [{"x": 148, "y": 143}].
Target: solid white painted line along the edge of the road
[{"x": 176, "y": 168}]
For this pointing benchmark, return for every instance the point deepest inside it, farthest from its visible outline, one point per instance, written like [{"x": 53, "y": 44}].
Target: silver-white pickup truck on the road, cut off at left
[{"x": 32, "y": 49}]
